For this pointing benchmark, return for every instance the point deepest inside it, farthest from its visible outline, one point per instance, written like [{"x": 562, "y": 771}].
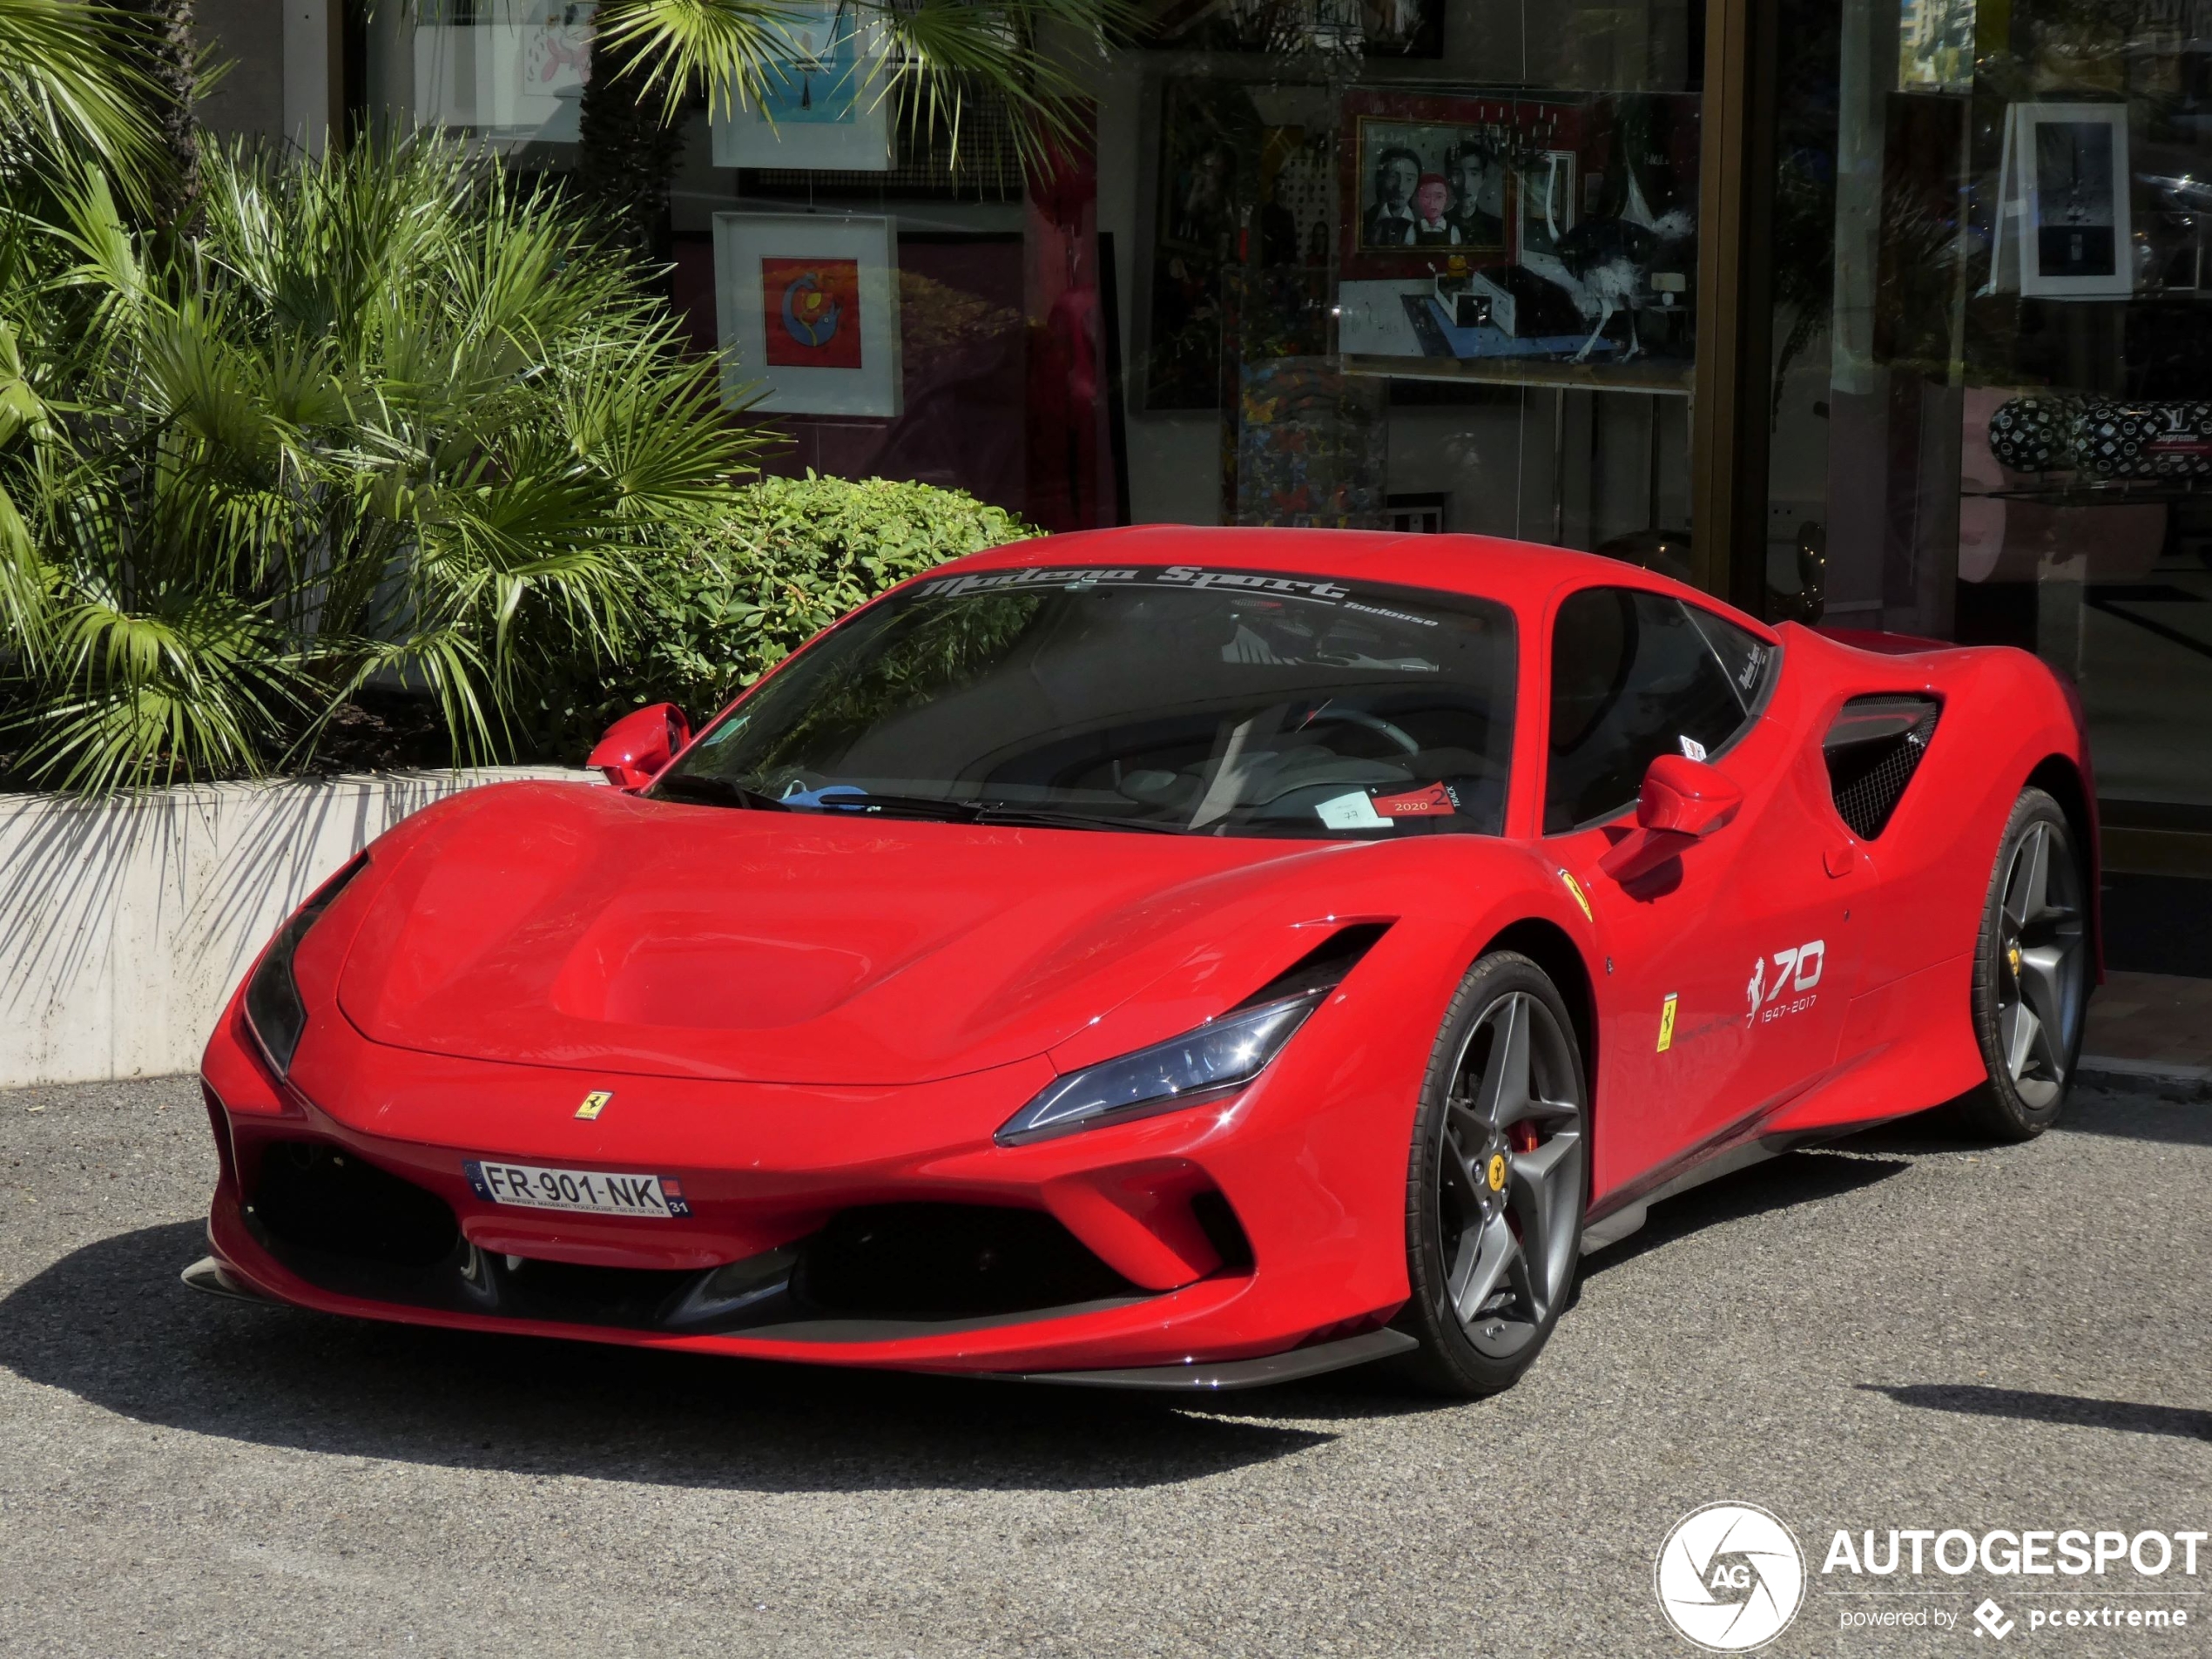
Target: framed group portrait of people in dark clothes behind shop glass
[{"x": 1428, "y": 178}]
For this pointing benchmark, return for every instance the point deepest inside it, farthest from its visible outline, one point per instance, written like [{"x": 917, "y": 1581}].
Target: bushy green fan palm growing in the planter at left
[{"x": 388, "y": 417}]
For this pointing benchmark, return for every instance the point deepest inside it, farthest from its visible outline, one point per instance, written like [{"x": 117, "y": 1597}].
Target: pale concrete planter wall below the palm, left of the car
[{"x": 127, "y": 924}]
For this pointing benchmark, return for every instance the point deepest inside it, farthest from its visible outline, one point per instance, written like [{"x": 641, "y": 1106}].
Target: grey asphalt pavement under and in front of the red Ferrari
[{"x": 1903, "y": 1333}]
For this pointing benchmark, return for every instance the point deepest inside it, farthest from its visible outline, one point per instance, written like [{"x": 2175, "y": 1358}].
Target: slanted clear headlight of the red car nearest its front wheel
[{"x": 1202, "y": 1065}]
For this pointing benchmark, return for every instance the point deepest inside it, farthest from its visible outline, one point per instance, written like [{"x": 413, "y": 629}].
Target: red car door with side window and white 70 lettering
[{"x": 1729, "y": 968}]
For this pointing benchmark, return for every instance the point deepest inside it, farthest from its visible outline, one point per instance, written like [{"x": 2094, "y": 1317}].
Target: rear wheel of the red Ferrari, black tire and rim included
[{"x": 2030, "y": 974}]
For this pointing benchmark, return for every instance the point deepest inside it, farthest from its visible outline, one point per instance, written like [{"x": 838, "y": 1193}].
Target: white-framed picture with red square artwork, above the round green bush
[{"x": 808, "y": 313}]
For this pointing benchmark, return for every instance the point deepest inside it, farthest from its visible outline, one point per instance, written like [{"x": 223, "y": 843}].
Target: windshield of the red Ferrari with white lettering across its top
[{"x": 1154, "y": 700}]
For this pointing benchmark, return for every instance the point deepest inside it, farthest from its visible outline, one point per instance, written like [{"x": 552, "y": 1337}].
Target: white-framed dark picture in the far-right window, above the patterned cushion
[{"x": 2072, "y": 178}]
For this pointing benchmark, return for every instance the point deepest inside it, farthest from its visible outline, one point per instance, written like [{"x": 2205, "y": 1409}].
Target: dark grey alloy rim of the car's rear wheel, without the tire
[{"x": 2041, "y": 966}]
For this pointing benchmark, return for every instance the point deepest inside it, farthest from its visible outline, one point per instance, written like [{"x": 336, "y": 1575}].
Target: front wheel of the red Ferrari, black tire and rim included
[{"x": 1501, "y": 1158}]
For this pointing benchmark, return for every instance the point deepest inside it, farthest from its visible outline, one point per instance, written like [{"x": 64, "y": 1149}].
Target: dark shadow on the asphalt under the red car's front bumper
[{"x": 114, "y": 1326}]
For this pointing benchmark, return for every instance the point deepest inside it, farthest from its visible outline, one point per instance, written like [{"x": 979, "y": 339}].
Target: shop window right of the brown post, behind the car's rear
[{"x": 1992, "y": 413}]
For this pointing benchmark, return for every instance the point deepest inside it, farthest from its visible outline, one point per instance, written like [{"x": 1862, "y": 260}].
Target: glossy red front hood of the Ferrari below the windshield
[{"x": 565, "y": 926}]
